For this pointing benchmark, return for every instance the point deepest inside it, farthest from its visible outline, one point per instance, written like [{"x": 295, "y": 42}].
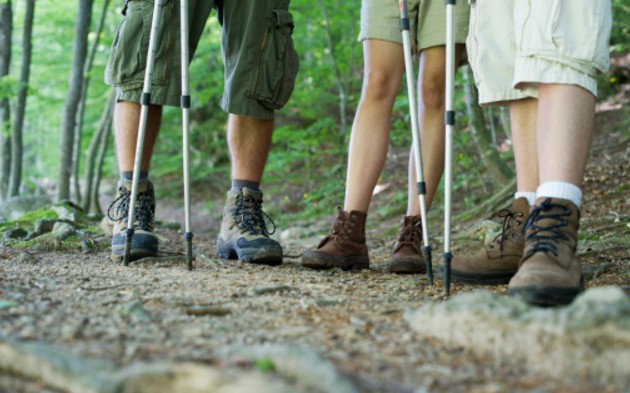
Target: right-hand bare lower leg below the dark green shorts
[{"x": 249, "y": 140}]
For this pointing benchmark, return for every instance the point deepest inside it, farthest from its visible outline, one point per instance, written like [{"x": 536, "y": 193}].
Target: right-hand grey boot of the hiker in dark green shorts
[{"x": 244, "y": 233}]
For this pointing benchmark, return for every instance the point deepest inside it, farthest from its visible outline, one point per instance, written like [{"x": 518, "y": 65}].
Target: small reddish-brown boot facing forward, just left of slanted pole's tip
[{"x": 407, "y": 257}]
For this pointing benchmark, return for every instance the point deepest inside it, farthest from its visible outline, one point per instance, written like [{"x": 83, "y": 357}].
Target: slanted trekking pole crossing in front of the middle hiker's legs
[{"x": 417, "y": 151}]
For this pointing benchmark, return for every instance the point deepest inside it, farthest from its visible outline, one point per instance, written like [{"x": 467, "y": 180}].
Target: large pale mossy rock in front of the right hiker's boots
[{"x": 588, "y": 339}]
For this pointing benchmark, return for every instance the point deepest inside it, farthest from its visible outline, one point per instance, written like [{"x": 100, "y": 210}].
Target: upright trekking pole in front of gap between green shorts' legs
[{"x": 185, "y": 104}]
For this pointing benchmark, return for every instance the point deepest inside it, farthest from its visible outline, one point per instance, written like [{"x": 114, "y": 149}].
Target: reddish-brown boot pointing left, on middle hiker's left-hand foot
[{"x": 344, "y": 247}]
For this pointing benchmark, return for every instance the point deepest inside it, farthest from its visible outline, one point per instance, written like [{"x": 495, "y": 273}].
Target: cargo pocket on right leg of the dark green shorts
[{"x": 277, "y": 63}]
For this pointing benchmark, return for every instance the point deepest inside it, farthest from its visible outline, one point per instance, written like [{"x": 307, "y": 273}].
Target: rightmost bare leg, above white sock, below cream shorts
[{"x": 566, "y": 115}]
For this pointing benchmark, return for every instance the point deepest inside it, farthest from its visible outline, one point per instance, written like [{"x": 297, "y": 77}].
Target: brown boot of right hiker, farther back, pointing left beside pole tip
[{"x": 497, "y": 262}]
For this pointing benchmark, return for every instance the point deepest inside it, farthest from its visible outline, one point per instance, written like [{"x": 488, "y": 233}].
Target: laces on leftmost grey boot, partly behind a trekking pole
[{"x": 118, "y": 210}]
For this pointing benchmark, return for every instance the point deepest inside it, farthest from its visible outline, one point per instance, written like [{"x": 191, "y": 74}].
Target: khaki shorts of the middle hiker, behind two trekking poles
[{"x": 380, "y": 19}]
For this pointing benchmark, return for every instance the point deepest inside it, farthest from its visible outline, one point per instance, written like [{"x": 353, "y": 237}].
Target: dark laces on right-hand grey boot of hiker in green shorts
[{"x": 249, "y": 216}]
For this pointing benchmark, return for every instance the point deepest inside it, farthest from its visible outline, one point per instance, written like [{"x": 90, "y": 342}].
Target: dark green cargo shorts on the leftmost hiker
[{"x": 260, "y": 61}]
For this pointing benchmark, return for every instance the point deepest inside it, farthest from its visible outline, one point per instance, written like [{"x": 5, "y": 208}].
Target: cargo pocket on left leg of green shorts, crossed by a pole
[{"x": 128, "y": 58}]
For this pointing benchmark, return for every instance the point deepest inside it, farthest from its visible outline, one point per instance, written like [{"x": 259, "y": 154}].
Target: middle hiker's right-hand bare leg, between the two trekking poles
[{"x": 431, "y": 85}]
